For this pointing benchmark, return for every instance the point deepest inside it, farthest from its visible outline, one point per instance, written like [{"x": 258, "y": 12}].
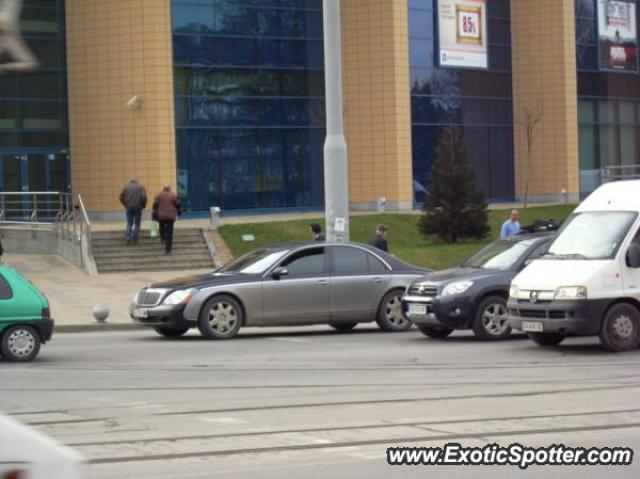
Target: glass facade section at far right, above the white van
[{"x": 608, "y": 107}]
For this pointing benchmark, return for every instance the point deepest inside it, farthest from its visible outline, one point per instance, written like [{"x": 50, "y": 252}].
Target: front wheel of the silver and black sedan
[{"x": 220, "y": 318}]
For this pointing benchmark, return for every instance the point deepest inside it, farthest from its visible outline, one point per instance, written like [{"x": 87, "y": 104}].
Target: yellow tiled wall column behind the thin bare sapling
[{"x": 544, "y": 79}]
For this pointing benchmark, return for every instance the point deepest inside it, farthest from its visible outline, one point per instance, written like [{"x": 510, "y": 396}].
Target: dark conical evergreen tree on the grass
[{"x": 454, "y": 208}]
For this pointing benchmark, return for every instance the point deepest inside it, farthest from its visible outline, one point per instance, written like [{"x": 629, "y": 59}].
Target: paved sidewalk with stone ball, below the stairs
[{"x": 72, "y": 294}]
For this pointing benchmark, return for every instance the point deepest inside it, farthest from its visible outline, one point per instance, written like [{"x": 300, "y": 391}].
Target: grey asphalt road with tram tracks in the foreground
[{"x": 314, "y": 403}]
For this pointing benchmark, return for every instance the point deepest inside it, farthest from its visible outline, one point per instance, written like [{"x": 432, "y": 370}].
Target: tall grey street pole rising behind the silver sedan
[{"x": 336, "y": 187}]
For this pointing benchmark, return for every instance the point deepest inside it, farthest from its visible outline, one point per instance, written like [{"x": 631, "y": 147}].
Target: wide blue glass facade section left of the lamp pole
[{"x": 249, "y": 86}]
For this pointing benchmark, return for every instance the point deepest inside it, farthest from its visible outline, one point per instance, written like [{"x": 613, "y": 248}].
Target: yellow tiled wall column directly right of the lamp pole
[{"x": 377, "y": 114}]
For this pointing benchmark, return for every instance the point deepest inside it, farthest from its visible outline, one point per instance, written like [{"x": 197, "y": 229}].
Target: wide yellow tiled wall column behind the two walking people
[{"x": 117, "y": 49}]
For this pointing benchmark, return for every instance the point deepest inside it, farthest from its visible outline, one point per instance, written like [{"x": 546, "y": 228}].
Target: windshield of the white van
[{"x": 592, "y": 235}]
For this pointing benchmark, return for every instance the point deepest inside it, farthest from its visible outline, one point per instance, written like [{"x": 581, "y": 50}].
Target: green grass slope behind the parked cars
[{"x": 404, "y": 240}]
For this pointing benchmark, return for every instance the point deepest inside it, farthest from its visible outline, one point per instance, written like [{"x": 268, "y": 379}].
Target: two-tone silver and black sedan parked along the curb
[{"x": 341, "y": 284}]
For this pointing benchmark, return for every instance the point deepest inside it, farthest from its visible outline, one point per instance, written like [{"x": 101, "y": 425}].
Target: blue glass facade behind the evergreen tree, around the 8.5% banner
[{"x": 479, "y": 101}]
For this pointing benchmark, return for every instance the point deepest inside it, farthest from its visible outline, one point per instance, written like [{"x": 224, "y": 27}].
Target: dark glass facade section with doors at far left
[{"x": 33, "y": 106}]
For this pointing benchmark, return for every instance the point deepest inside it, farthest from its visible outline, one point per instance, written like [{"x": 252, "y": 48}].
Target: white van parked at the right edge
[{"x": 588, "y": 283}]
